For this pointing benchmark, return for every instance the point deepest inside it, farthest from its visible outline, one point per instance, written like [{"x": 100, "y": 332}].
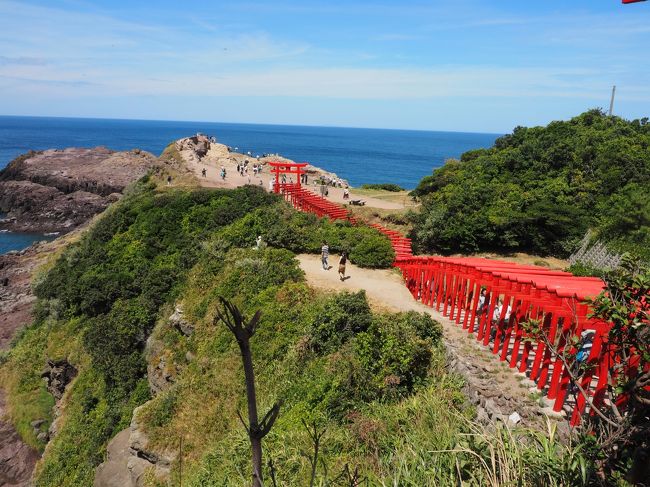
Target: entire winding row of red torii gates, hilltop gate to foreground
[{"x": 493, "y": 300}]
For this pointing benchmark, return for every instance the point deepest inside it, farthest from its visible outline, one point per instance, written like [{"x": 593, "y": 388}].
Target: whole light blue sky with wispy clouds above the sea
[{"x": 461, "y": 65}]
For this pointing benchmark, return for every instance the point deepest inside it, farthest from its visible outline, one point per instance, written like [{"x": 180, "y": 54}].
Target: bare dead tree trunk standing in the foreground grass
[{"x": 236, "y": 323}]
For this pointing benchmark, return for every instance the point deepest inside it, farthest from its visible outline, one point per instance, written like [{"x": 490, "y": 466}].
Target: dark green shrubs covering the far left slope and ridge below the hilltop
[{"x": 100, "y": 301}]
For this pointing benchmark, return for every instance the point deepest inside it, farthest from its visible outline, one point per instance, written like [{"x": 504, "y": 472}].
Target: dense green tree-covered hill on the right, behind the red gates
[{"x": 539, "y": 189}]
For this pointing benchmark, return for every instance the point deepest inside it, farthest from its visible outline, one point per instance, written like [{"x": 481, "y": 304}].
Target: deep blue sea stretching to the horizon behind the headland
[{"x": 356, "y": 154}]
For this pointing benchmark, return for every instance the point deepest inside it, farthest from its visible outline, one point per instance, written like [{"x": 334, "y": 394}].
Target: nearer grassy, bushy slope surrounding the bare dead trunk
[{"x": 374, "y": 383}]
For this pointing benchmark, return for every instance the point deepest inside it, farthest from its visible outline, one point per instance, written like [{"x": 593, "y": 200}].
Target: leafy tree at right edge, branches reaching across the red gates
[{"x": 619, "y": 419}]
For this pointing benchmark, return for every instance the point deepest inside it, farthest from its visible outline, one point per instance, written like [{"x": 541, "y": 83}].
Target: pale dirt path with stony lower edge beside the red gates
[{"x": 496, "y": 390}]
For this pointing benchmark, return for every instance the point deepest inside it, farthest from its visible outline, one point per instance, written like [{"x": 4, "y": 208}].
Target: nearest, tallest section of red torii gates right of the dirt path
[{"x": 454, "y": 285}]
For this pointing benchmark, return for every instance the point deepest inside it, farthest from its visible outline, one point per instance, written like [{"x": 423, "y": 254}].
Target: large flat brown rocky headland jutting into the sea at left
[{"x": 59, "y": 190}]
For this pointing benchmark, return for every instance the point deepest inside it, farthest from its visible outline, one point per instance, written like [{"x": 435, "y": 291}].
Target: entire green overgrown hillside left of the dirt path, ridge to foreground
[{"x": 372, "y": 386}]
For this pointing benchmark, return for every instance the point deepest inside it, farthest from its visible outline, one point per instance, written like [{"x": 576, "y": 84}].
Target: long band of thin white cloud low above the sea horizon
[{"x": 352, "y": 83}]
